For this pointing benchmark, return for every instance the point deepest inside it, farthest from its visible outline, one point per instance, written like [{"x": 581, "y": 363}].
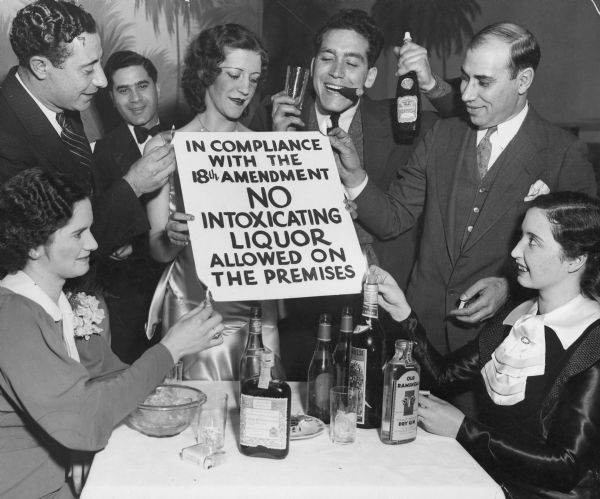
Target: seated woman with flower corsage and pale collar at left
[{"x": 62, "y": 390}]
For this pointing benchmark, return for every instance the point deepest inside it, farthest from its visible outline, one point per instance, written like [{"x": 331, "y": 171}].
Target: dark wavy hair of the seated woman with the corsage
[{"x": 33, "y": 205}]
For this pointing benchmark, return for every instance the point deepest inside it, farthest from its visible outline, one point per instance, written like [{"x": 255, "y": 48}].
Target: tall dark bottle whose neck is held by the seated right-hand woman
[{"x": 367, "y": 356}]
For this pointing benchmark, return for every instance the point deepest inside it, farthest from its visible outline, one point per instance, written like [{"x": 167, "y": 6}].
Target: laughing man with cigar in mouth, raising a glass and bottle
[{"x": 346, "y": 49}]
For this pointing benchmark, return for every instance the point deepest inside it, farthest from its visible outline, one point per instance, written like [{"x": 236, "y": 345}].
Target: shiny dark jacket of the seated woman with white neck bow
[{"x": 554, "y": 452}]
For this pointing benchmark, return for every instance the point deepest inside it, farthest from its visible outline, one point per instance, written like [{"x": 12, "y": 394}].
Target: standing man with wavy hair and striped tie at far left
[{"x": 59, "y": 73}]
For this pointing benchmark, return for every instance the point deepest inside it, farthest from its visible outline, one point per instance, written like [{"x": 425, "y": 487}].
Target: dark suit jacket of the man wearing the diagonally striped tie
[{"x": 28, "y": 140}]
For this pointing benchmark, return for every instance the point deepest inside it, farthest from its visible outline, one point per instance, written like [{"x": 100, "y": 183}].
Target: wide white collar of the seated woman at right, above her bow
[{"x": 568, "y": 321}]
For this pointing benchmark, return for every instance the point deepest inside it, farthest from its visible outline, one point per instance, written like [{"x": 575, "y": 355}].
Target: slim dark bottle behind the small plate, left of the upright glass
[{"x": 321, "y": 372}]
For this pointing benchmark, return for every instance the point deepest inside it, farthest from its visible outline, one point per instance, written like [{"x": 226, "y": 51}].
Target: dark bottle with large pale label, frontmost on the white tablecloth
[{"x": 265, "y": 407}]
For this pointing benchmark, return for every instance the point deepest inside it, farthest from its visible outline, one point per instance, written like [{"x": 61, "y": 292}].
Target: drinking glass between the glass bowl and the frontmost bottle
[{"x": 209, "y": 427}]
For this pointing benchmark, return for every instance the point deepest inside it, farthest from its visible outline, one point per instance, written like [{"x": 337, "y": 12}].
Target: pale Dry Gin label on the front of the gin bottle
[{"x": 405, "y": 401}]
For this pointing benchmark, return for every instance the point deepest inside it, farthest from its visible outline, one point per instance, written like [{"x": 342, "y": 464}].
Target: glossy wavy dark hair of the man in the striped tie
[{"x": 46, "y": 27}]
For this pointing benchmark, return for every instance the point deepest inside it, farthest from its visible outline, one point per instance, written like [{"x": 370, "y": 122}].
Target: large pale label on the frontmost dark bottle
[{"x": 263, "y": 421}]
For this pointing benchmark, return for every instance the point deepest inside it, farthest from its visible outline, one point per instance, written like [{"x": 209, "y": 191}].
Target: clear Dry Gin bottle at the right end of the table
[{"x": 400, "y": 396}]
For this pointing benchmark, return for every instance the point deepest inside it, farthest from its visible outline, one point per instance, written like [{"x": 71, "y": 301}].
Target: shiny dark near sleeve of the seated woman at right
[{"x": 557, "y": 461}]
